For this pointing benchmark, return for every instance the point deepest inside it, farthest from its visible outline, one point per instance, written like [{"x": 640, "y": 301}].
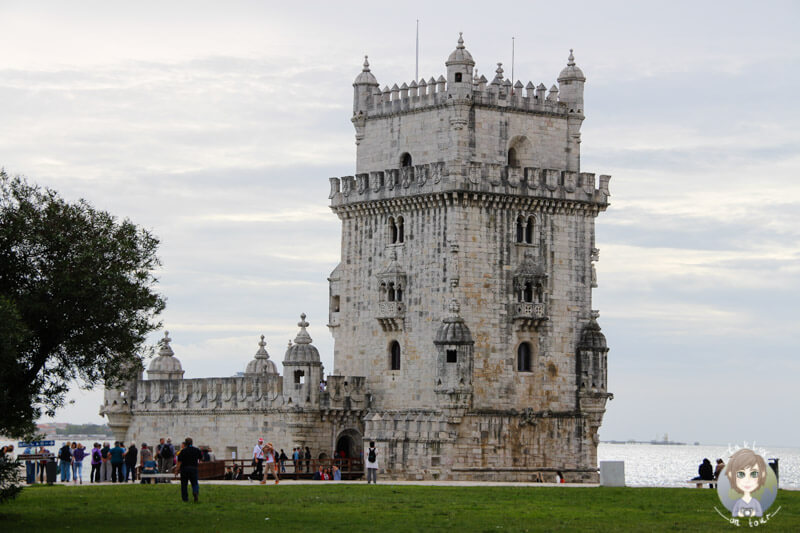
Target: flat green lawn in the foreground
[{"x": 357, "y": 508}]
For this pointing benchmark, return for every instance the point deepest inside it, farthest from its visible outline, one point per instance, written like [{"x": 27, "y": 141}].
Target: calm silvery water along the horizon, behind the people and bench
[{"x": 649, "y": 465}]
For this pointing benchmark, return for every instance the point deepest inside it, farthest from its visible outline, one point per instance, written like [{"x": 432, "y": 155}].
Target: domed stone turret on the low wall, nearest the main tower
[{"x": 303, "y": 368}]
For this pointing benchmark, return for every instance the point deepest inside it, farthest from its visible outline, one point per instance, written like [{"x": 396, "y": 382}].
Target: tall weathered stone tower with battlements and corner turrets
[{"x": 463, "y": 295}]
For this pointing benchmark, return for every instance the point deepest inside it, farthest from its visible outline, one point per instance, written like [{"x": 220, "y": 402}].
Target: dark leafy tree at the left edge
[{"x": 76, "y": 300}]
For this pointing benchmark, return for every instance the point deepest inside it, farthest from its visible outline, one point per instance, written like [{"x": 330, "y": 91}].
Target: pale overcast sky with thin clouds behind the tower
[{"x": 217, "y": 125}]
